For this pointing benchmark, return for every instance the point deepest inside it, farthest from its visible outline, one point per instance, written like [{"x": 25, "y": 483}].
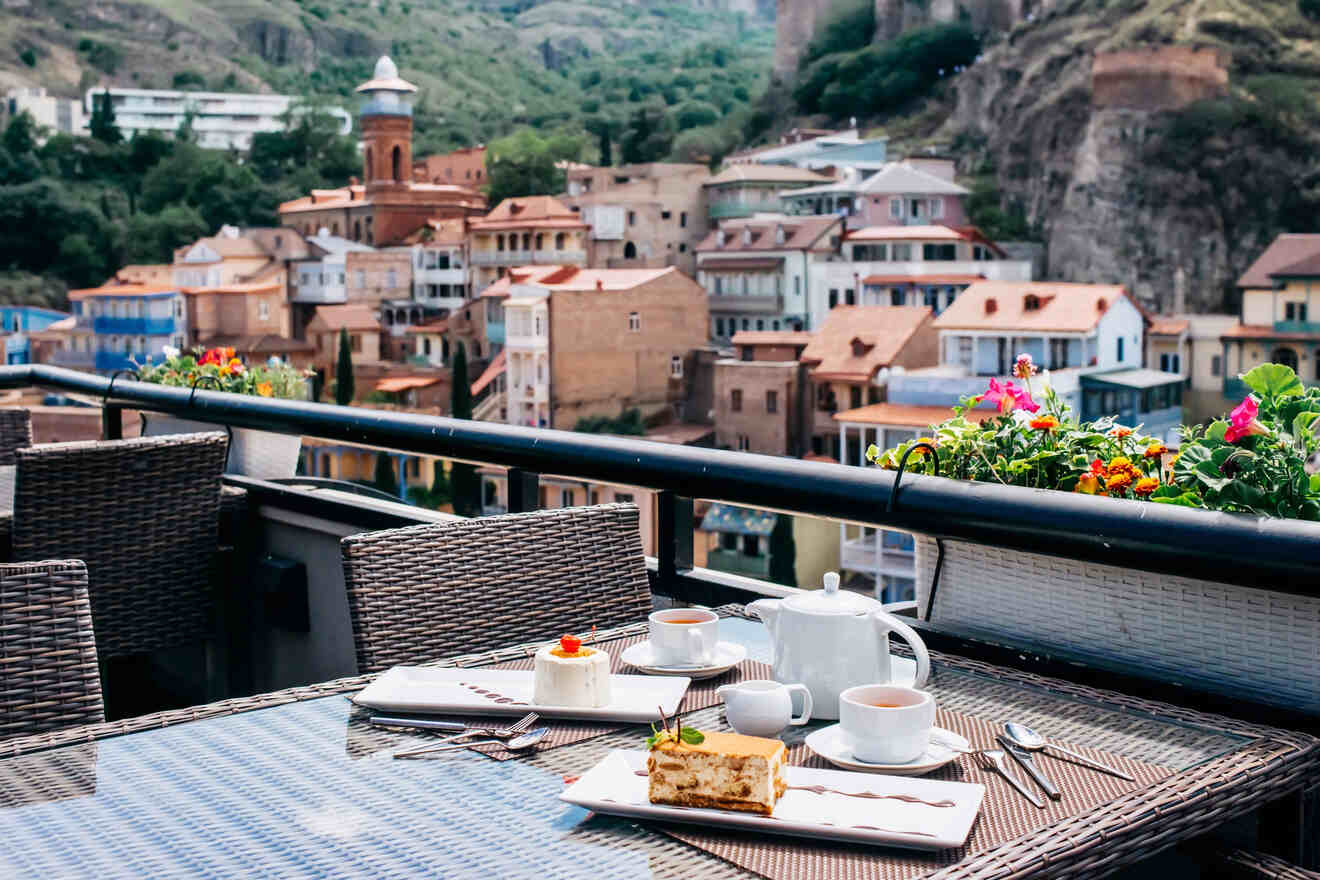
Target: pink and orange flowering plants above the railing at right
[{"x": 1253, "y": 462}]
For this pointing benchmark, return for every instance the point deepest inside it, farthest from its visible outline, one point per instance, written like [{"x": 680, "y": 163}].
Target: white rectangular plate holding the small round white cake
[{"x": 506, "y": 692}]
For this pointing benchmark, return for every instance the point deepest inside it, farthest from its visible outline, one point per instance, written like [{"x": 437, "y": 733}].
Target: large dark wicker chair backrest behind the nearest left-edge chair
[{"x": 143, "y": 515}]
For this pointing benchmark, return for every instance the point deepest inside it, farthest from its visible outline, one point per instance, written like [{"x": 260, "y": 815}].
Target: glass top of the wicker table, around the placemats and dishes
[{"x": 311, "y": 790}]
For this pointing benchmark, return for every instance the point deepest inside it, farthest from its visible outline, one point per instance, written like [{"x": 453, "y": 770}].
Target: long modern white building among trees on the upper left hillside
[{"x": 221, "y": 121}]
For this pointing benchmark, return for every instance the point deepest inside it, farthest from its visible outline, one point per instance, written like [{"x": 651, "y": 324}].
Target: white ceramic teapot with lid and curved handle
[{"x": 832, "y": 641}]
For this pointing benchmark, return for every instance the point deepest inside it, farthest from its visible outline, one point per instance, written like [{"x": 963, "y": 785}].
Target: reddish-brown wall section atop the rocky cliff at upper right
[{"x": 1158, "y": 79}]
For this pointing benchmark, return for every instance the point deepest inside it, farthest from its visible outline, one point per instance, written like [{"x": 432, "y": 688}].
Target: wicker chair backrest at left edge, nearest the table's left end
[{"x": 48, "y": 656}]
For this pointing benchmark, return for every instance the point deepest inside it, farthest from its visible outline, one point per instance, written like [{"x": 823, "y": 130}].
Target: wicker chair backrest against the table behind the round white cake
[{"x": 431, "y": 592}]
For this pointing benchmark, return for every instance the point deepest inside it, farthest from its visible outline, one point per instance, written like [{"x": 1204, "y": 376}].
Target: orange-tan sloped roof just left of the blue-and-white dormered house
[{"x": 857, "y": 341}]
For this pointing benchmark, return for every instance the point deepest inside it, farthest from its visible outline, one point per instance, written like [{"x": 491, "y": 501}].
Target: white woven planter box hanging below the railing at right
[{"x": 1214, "y": 637}]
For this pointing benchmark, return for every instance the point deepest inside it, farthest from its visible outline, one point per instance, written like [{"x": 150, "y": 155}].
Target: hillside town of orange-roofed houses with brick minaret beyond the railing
[{"x": 808, "y": 299}]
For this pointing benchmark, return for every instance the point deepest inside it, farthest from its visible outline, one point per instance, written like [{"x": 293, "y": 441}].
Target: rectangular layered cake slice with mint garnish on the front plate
[{"x": 723, "y": 771}]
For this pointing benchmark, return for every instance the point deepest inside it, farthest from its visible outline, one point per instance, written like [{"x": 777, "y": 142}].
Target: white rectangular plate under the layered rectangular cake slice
[{"x": 616, "y": 787}]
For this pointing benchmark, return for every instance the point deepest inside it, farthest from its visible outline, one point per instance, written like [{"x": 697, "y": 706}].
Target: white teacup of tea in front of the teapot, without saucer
[{"x": 886, "y": 724}]
